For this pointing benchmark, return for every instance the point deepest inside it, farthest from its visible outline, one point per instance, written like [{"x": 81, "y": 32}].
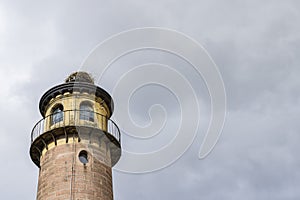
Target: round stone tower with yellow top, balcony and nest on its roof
[{"x": 76, "y": 144}]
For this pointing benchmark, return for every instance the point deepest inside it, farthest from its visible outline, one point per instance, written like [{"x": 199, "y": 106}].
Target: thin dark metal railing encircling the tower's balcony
[{"x": 75, "y": 118}]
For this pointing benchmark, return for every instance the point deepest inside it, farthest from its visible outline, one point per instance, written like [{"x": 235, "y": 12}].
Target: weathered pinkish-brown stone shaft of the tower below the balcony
[{"x": 63, "y": 176}]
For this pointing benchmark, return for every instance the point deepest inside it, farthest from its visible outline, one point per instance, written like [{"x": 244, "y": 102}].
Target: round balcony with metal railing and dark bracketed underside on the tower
[{"x": 65, "y": 124}]
